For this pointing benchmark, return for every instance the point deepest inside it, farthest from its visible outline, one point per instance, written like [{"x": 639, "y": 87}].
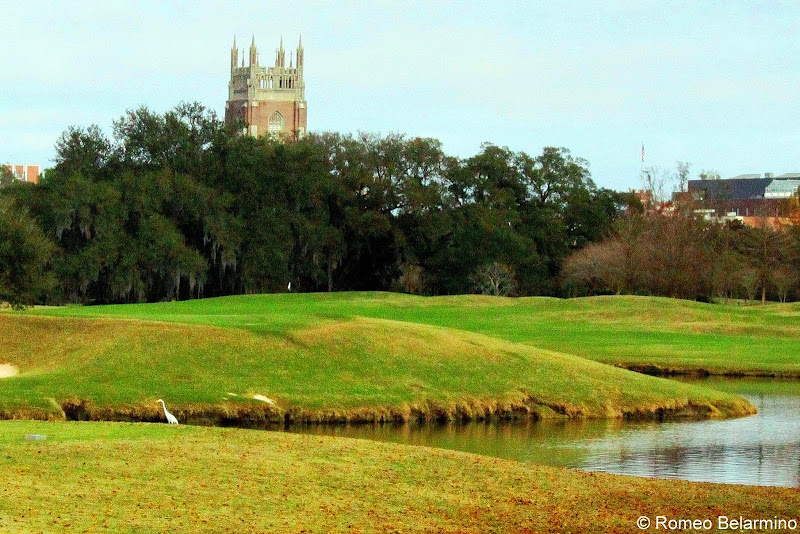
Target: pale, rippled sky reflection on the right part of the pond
[{"x": 763, "y": 449}]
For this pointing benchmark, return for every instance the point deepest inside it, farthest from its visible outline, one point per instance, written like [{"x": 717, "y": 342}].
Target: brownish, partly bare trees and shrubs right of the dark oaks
[{"x": 681, "y": 255}]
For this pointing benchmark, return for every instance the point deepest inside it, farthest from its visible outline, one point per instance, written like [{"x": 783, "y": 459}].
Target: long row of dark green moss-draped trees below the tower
[{"x": 178, "y": 205}]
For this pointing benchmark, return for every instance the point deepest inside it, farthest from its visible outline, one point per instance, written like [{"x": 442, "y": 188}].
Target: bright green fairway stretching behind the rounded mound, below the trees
[{"x": 668, "y": 333}]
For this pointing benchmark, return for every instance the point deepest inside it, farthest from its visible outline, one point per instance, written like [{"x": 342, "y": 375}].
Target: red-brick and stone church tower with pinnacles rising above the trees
[{"x": 268, "y": 100}]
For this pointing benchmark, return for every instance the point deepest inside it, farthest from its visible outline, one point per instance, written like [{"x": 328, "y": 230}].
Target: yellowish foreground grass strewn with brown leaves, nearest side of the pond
[{"x": 121, "y": 477}]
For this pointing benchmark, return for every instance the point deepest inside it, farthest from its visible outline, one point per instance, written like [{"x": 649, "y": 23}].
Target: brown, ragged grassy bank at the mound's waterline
[{"x": 265, "y": 415}]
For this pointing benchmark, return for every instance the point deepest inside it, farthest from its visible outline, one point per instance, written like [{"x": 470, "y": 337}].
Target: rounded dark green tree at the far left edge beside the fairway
[{"x": 24, "y": 256}]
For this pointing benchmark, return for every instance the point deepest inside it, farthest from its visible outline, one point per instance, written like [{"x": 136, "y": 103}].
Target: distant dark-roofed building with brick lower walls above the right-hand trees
[{"x": 746, "y": 195}]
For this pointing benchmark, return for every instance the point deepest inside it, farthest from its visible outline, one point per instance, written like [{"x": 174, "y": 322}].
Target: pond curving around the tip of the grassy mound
[{"x": 763, "y": 449}]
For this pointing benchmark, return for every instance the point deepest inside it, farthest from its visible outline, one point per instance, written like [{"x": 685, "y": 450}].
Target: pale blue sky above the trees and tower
[{"x": 711, "y": 83}]
